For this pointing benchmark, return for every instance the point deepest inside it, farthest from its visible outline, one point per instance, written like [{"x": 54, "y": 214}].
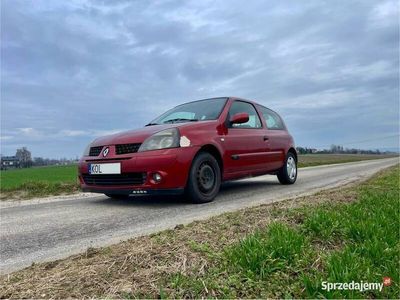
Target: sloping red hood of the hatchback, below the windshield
[{"x": 132, "y": 136}]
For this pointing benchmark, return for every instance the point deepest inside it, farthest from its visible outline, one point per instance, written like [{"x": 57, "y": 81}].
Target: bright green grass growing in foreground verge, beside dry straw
[{"x": 342, "y": 242}]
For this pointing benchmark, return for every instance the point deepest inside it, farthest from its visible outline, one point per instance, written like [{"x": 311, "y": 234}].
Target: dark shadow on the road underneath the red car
[{"x": 227, "y": 188}]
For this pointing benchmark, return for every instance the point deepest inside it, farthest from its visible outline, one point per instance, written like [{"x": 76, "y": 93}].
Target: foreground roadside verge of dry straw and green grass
[{"x": 283, "y": 250}]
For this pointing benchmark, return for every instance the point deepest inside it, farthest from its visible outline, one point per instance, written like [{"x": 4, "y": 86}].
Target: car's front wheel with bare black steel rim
[{"x": 204, "y": 179}]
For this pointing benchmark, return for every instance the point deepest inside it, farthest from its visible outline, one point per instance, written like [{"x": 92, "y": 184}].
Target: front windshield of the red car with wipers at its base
[{"x": 202, "y": 110}]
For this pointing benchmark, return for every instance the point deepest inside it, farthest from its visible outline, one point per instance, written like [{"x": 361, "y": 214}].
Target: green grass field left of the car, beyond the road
[{"x": 38, "y": 181}]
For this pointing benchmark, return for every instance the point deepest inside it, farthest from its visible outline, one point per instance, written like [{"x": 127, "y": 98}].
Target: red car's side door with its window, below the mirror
[{"x": 244, "y": 144}]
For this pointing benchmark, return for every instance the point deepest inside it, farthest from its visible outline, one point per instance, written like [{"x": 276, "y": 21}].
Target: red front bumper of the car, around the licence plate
[{"x": 173, "y": 165}]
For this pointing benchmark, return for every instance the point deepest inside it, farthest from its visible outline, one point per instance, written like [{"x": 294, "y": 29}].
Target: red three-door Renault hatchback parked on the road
[{"x": 191, "y": 149}]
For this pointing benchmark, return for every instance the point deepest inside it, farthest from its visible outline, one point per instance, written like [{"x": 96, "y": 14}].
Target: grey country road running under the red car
[{"x": 36, "y": 231}]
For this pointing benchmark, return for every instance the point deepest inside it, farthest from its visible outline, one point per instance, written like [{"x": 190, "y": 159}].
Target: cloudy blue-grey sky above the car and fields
[{"x": 74, "y": 70}]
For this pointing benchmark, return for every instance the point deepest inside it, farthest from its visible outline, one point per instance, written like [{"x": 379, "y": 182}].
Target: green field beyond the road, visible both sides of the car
[{"x": 55, "y": 180}]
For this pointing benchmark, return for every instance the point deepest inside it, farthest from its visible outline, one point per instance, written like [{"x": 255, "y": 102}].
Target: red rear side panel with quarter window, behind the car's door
[{"x": 277, "y": 138}]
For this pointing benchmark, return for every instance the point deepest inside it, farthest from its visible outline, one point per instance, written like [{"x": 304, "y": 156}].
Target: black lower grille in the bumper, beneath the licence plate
[{"x": 115, "y": 179}]
